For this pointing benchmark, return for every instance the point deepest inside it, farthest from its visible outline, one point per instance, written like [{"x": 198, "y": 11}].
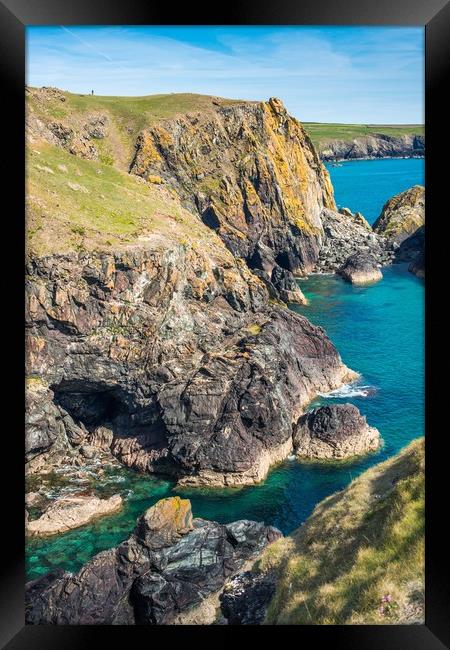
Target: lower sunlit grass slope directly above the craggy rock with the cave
[{"x": 76, "y": 204}]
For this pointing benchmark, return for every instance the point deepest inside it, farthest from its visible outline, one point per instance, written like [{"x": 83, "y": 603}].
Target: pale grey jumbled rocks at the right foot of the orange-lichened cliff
[{"x": 347, "y": 234}]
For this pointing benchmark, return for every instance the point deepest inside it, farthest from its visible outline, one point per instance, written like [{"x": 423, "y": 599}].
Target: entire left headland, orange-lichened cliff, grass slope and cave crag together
[{"x": 148, "y": 333}]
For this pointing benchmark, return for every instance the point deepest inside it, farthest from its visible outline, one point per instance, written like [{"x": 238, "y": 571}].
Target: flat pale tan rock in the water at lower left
[{"x": 72, "y": 512}]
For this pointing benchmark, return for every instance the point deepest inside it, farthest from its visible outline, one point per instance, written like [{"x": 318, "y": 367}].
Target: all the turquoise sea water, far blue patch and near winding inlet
[{"x": 378, "y": 331}]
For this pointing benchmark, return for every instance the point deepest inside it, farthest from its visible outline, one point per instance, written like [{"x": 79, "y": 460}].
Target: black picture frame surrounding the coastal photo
[{"x": 434, "y": 15}]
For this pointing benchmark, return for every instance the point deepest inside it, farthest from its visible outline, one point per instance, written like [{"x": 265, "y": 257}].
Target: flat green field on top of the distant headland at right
[{"x": 321, "y": 133}]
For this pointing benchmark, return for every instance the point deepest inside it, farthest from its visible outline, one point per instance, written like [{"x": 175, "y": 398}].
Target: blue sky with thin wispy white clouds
[{"x": 356, "y": 75}]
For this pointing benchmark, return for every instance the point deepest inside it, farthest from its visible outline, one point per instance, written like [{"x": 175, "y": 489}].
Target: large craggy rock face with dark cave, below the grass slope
[{"x": 177, "y": 354}]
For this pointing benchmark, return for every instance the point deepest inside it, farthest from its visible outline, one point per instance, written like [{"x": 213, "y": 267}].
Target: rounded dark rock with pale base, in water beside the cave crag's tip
[{"x": 337, "y": 431}]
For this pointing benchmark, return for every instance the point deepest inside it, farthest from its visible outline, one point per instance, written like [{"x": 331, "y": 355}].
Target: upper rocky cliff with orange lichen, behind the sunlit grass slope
[{"x": 248, "y": 169}]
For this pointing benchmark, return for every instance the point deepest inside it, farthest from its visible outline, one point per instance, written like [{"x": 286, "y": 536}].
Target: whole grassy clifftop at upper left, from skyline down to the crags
[{"x": 77, "y": 202}]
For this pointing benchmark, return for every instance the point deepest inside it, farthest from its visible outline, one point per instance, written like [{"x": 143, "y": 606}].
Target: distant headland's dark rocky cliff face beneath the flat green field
[{"x": 373, "y": 146}]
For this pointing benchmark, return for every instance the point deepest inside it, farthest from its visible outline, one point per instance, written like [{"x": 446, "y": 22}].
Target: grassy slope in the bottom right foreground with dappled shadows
[{"x": 359, "y": 558}]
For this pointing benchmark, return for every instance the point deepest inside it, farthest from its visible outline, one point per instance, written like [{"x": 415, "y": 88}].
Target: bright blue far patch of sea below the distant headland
[{"x": 366, "y": 185}]
